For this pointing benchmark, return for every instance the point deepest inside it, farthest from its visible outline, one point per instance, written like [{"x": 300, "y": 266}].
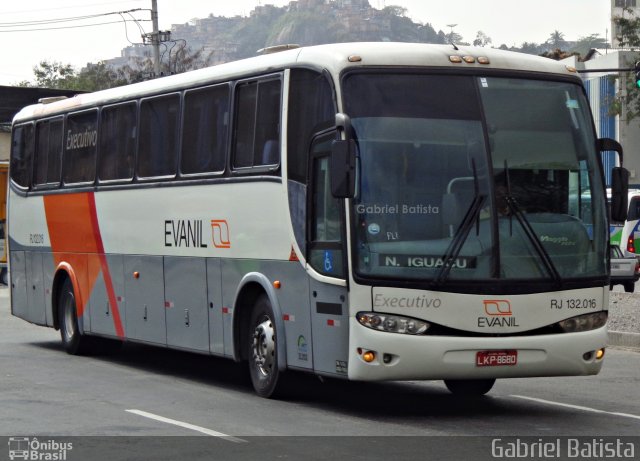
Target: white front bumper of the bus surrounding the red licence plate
[{"x": 449, "y": 357}]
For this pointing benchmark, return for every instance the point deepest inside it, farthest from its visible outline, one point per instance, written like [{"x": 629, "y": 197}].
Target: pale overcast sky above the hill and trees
[{"x": 78, "y": 42}]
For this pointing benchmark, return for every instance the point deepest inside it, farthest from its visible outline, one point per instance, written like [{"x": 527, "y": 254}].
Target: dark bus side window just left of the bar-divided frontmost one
[{"x": 205, "y": 130}]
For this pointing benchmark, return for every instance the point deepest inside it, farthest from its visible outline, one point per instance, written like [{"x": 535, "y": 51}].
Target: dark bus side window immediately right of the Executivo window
[{"x": 117, "y": 142}]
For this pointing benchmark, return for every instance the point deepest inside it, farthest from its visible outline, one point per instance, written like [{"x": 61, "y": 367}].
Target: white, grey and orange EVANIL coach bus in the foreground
[{"x": 366, "y": 211}]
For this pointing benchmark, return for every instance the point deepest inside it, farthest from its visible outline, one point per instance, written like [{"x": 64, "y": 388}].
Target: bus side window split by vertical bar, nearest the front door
[{"x": 257, "y": 124}]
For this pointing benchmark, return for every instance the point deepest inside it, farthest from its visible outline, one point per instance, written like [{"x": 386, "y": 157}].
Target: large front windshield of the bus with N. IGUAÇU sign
[{"x": 474, "y": 178}]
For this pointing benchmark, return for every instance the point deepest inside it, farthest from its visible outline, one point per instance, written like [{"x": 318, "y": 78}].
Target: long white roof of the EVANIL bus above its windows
[{"x": 332, "y": 57}]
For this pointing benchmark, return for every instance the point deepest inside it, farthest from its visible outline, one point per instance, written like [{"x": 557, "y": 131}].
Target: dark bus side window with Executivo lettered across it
[{"x": 81, "y": 140}]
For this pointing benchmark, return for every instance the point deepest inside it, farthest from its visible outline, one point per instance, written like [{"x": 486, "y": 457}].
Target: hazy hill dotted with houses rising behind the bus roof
[{"x": 304, "y": 22}]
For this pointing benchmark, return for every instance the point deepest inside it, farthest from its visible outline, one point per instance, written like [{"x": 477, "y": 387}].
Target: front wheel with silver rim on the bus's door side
[{"x": 263, "y": 349}]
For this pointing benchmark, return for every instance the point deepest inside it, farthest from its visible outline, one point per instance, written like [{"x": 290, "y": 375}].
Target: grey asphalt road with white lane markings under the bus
[{"x": 130, "y": 404}]
